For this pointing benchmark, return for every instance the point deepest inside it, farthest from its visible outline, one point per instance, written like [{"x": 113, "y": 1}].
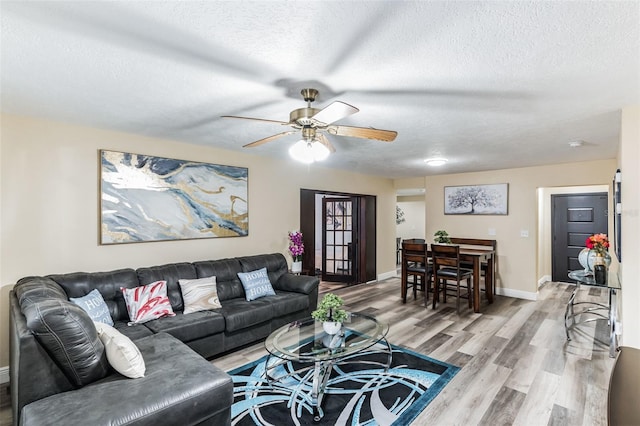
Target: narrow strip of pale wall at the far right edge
[{"x": 629, "y": 161}]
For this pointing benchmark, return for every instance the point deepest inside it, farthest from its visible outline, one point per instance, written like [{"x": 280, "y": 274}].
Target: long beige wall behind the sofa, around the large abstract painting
[{"x": 49, "y": 204}]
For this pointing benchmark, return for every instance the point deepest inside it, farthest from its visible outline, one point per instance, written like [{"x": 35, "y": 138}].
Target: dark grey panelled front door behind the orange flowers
[{"x": 574, "y": 218}]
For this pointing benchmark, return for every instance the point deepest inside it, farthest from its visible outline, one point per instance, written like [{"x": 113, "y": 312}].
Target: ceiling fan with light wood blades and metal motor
[{"x": 313, "y": 121}]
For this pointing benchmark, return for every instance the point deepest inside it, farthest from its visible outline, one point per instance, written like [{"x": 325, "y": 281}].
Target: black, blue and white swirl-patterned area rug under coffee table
[{"x": 356, "y": 393}]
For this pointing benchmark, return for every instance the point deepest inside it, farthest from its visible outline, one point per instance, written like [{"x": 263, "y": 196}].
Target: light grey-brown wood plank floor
[{"x": 516, "y": 364}]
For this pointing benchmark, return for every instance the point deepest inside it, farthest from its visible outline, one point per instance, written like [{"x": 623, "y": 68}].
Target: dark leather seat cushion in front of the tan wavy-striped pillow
[{"x": 189, "y": 327}]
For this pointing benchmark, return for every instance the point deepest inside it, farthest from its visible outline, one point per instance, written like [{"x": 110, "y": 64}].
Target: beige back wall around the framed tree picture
[{"x": 517, "y": 256}]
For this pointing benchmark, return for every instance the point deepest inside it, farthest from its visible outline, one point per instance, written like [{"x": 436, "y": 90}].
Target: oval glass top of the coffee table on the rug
[{"x": 306, "y": 341}]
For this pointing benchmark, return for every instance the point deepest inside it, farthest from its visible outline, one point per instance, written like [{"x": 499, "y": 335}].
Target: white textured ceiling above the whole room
[{"x": 488, "y": 85}]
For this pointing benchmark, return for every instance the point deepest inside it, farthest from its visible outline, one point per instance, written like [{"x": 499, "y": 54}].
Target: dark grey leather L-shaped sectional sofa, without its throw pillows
[{"x": 58, "y": 370}]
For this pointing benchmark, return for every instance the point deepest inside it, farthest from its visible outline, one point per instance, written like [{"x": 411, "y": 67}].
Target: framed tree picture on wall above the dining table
[{"x": 476, "y": 199}]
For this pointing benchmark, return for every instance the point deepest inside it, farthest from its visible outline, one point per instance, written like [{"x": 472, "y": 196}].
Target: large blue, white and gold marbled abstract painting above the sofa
[{"x": 147, "y": 198}]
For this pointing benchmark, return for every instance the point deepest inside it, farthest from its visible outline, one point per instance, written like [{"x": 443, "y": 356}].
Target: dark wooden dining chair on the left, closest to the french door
[{"x": 416, "y": 270}]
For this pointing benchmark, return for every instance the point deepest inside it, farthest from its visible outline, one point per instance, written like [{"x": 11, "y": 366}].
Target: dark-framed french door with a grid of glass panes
[{"x": 339, "y": 239}]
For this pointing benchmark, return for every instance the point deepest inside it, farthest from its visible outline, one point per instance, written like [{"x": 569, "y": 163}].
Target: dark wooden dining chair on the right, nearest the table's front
[{"x": 446, "y": 269}]
